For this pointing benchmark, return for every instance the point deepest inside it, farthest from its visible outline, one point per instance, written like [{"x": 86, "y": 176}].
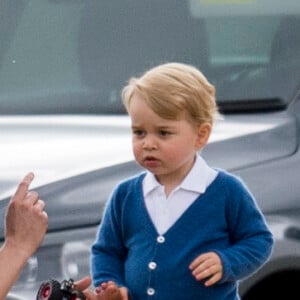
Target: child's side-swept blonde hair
[{"x": 173, "y": 88}]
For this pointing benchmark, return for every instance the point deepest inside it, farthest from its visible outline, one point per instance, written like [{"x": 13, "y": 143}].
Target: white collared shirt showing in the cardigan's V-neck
[{"x": 165, "y": 211}]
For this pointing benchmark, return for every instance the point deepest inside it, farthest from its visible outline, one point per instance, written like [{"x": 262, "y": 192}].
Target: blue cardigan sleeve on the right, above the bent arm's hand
[{"x": 251, "y": 239}]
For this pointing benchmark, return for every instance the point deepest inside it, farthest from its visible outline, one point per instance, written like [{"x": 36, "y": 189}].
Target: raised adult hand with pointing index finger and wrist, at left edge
[{"x": 25, "y": 227}]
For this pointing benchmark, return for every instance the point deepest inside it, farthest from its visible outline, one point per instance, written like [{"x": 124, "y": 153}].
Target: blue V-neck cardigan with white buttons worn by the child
[{"x": 224, "y": 219}]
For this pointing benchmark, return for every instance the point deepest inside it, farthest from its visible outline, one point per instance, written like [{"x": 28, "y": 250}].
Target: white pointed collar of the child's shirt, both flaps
[{"x": 196, "y": 180}]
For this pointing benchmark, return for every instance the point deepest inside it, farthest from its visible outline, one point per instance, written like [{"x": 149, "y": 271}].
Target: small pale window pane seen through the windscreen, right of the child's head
[{"x": 255, "y": 35}]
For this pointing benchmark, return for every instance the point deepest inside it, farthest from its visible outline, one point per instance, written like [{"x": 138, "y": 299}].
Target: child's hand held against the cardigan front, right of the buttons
[{"x": 207, "y": 266}]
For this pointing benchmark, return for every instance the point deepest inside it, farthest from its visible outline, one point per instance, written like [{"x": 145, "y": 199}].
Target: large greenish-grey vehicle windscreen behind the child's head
[{"x": 73, "y": 56}]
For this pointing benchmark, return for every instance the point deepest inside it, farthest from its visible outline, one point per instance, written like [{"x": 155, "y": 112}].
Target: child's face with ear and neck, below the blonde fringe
[{"x": 165, "y": 147}]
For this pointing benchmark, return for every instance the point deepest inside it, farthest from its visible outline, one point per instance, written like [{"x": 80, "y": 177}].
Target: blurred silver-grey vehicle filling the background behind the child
[{"x": 62, "y": 66}]
